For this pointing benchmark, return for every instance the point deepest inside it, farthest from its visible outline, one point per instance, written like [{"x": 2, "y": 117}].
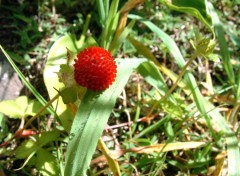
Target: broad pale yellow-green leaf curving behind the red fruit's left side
[{"x": 57, "y": 56}]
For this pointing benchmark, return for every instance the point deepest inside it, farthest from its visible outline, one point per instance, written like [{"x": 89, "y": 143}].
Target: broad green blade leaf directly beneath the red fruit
[{"x": 91, "y": 118}]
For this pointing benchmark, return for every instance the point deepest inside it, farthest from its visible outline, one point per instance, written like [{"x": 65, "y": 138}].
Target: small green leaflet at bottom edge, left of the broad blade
[{"x": 46, "y": 163}]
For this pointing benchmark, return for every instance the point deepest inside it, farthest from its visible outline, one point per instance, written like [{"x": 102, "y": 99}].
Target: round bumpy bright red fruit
[{"x": 95, "y": 69}]
